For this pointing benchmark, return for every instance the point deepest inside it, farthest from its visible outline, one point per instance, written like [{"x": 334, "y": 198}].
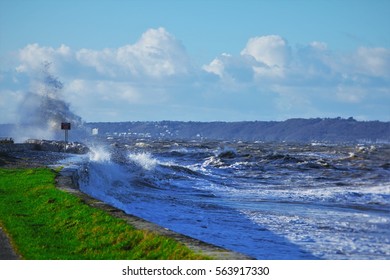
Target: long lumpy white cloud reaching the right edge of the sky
[{"x": 275, "y": 62}]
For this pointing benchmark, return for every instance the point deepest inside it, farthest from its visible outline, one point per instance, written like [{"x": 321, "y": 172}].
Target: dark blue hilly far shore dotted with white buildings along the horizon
[{"x": 326, "y": 130}]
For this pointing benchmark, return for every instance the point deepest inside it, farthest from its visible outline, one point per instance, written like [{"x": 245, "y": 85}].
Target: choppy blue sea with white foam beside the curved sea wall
[{"x": 266, "y": 200}]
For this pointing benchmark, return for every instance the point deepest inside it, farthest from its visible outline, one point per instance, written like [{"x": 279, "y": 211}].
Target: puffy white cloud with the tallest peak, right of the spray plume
[{"x": 157, "y": 55}]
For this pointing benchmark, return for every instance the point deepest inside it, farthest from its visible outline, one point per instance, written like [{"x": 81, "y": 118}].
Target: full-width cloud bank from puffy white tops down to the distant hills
[{"x": 155, "y": 78}]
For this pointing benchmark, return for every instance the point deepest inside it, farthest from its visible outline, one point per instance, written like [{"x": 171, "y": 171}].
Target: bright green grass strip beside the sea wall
[{"x": 47, "y": 223}]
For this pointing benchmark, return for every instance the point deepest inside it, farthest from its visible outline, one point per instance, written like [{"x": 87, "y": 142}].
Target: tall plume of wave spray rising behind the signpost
[{"x": 42, "y": 110}]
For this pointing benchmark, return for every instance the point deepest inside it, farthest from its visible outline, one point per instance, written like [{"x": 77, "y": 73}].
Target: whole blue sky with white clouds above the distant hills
[{"x": 200, "y": 60}]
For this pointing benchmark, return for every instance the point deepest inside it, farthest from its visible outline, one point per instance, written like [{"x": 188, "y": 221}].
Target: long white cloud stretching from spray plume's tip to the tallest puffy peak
[{"x": 157, "y": 54}]
